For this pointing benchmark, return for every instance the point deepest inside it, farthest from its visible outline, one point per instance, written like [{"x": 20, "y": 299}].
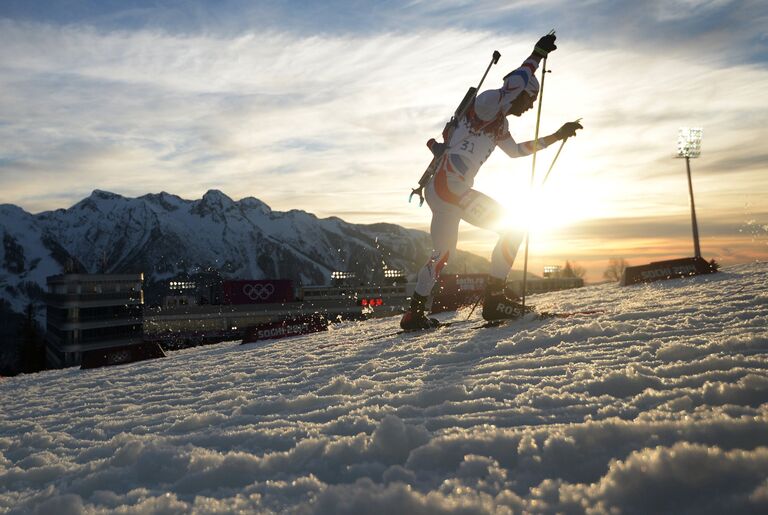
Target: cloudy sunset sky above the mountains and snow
[{"x": 326, "y": 107}]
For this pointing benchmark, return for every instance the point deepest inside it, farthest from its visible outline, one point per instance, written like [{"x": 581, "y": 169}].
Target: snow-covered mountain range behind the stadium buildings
[{"x": 163, "y": 235}]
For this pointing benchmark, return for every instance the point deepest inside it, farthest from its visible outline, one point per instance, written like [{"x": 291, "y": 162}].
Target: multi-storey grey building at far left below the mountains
[{"x": 88, "y": 313}]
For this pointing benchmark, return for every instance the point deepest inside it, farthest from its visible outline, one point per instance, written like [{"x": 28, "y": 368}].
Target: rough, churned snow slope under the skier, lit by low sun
[{"x": 658, "y": 404}]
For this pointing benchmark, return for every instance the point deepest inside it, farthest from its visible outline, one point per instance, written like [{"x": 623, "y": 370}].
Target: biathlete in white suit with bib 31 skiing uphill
[{"x": 451, "y": 198}]
